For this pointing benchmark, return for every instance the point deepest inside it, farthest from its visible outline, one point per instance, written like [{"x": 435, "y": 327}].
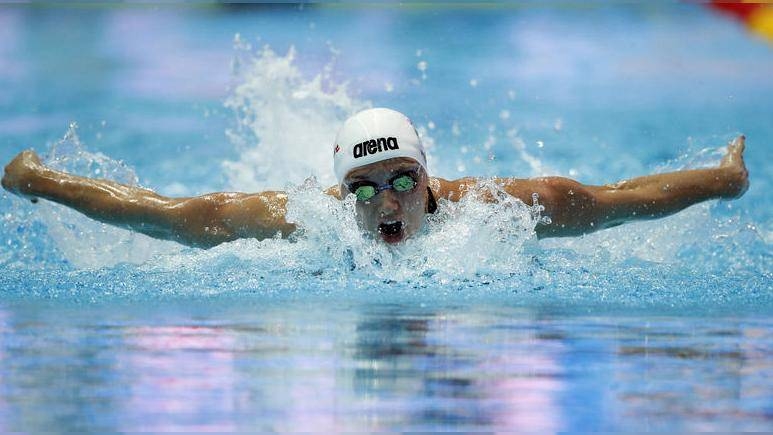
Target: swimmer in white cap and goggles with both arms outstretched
[{"x": 379, "y": 158}]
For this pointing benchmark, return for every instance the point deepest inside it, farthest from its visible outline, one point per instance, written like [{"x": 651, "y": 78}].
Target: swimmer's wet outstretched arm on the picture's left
[{"x": 203, "y": 221}]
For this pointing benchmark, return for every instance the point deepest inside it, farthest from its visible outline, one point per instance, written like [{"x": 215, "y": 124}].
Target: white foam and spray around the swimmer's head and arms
[{"x": 285, "y": 124}]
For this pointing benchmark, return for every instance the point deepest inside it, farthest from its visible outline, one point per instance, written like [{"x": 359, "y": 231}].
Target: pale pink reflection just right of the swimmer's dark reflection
[{"x": 518, "y": 383}]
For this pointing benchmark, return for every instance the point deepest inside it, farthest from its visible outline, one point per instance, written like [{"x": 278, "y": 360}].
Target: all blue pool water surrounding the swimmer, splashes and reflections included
[{"x": 661, "y": 325}]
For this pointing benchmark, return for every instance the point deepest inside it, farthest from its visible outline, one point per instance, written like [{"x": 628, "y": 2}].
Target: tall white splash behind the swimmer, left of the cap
[{"x": 285, "y": 122}]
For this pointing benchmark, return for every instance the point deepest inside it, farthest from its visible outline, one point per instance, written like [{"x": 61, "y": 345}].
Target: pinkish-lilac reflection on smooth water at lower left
[{"x": 179, "y": 375}]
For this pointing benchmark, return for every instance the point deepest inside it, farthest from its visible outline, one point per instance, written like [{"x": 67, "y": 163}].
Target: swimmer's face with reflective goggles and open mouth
[{"x": 390, "y": 215}]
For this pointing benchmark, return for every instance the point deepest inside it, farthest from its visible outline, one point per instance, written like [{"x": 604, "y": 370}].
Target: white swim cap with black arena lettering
[{"x": 374, "y": 135}]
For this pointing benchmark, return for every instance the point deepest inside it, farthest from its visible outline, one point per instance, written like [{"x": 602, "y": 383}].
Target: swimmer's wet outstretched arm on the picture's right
[{"x": 576, "y": 209}]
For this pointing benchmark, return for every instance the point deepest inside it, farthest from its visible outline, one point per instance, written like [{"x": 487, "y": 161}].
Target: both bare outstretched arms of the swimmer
[{"x": 208, "y": 220}]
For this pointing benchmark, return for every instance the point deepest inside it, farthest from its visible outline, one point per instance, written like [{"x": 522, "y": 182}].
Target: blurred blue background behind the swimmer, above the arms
[{"x": 146, "y": 83}]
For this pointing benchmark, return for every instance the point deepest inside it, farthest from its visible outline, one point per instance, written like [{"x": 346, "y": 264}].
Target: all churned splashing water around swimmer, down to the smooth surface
[{"x": 282, "y": 119}]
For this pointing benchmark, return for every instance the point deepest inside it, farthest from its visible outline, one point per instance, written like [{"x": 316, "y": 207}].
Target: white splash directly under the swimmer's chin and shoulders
[{"x": 456, "y": 244}]
